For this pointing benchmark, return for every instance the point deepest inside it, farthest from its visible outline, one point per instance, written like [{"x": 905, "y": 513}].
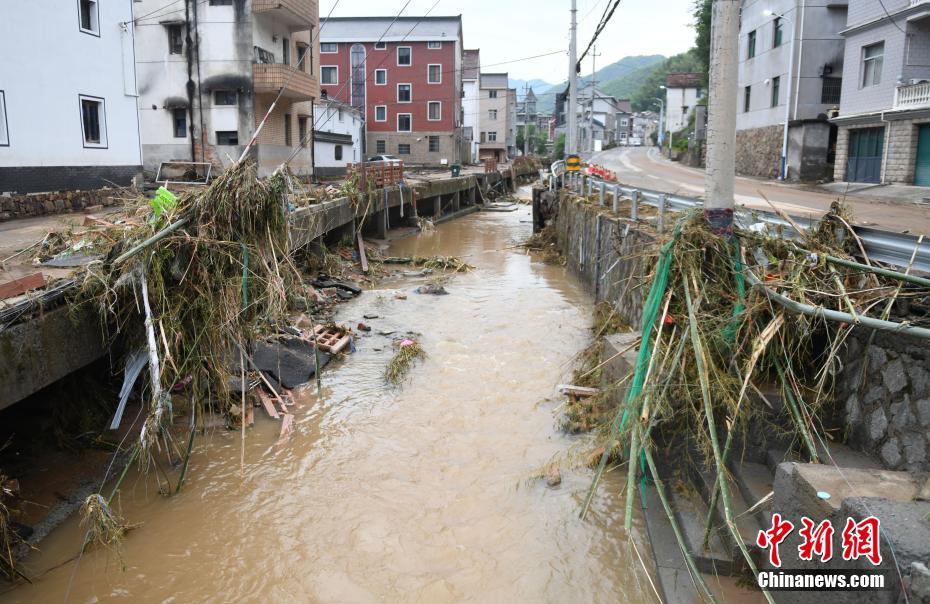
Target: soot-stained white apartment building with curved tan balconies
[{"x": 210, "y": 71}]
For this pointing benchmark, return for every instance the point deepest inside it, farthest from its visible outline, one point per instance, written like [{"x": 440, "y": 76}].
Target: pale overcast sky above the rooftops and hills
[{"x": 512, "y": 29}]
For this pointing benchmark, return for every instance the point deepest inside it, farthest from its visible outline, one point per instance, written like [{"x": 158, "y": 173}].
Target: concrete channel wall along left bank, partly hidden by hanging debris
[{"x": 39, "y": 351}]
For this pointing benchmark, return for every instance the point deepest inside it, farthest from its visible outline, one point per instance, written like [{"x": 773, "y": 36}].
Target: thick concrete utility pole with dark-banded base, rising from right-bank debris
[{"x": 721, "y": 120}]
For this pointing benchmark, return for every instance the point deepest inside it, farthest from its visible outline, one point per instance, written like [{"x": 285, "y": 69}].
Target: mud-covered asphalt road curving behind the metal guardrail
[{"x": 645, "y": 167}]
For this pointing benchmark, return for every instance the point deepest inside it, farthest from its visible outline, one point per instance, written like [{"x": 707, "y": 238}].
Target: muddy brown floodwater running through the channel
[{"x": 424, "y": 493}]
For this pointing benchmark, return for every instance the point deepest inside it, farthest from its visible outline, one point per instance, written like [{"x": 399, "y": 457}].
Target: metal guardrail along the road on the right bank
[{"x": 895, "y": 249}]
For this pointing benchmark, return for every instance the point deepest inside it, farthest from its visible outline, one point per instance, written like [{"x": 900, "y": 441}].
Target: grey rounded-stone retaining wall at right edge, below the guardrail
[{"x": 888, "y": 413}]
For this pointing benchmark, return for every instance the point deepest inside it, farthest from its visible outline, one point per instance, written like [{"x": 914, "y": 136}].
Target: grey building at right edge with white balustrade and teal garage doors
[{"x": 884, "y": 120}]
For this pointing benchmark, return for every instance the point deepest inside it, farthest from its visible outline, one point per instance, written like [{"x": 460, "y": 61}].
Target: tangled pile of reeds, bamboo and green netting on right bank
[{"x": 729, "y": 317}]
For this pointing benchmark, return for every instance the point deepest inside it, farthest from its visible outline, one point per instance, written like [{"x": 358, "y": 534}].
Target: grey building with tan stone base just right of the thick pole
[{"x": 774, "y": 91}]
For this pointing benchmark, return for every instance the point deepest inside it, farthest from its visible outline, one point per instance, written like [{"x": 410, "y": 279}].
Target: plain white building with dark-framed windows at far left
[{"x": 68, "y": 119}]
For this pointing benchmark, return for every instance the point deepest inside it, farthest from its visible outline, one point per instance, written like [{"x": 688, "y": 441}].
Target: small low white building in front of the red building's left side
[{"x": 337, "y": 141}]
